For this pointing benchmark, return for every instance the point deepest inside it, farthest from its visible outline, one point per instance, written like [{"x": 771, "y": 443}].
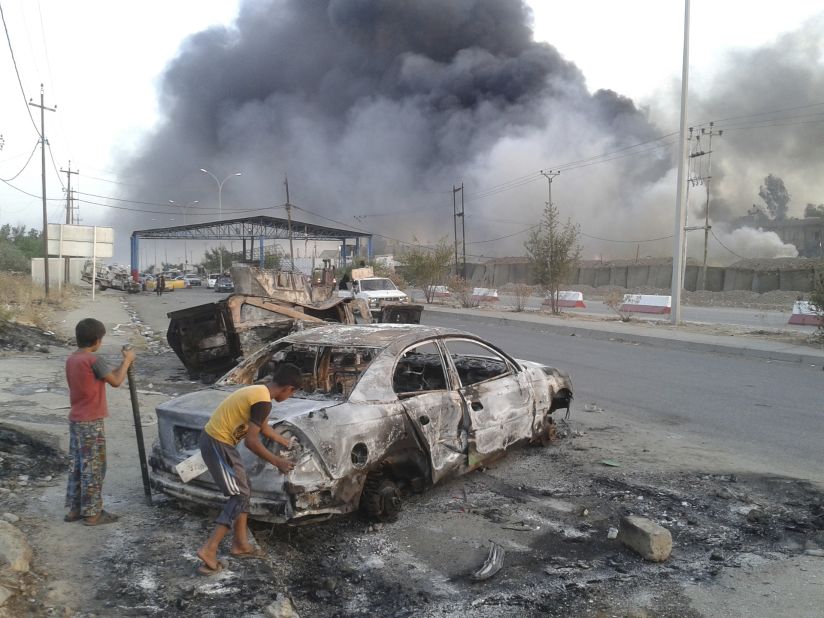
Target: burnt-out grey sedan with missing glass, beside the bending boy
[{"x": 385, "y": 408}]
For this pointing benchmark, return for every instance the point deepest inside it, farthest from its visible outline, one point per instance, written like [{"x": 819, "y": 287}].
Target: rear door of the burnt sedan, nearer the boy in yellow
[{"x": 434, "y": 406}]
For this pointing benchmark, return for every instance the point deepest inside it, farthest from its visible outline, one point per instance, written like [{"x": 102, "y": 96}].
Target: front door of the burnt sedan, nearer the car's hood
[{"x": 496, "y": 394}]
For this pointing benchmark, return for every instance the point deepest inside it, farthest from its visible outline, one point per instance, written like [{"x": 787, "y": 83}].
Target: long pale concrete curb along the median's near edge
[{"x": 795, "y": 354}]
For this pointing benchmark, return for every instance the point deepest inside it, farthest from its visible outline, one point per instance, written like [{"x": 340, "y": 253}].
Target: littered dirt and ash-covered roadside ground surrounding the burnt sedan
[{"x": 740, "y": 534}]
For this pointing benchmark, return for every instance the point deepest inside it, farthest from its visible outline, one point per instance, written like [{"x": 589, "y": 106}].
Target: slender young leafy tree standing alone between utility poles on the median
[{"x": 554, "y": 251}]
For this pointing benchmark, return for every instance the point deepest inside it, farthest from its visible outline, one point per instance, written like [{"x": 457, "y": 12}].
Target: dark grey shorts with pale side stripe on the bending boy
[{"x": 229, "y": 474}]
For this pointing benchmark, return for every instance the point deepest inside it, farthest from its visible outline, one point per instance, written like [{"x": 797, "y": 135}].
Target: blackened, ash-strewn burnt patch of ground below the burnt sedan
[{"x": 559, "y": 560}]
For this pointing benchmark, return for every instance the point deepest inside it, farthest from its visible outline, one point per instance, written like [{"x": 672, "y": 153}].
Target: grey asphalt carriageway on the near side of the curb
[{"x": 767, "y": 411}]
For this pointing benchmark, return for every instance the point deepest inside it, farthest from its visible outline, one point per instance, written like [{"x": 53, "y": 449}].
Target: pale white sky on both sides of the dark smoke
[{"x": 101, "y": 61}]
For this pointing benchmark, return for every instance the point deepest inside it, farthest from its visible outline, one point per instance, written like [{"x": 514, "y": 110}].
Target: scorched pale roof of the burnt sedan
[{"x": 370, "y": 335}]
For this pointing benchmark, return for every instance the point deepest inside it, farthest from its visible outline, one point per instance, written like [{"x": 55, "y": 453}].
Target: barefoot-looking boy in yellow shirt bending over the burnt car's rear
[{"x": 242, "y": 416}]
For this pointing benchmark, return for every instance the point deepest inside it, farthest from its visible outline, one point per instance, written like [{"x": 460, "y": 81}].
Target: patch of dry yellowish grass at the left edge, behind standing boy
[{"x": 25, "y": 302}]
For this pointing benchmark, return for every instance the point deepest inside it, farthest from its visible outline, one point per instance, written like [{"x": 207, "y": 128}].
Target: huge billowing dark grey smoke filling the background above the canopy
[{"x": 378, "y": 106}]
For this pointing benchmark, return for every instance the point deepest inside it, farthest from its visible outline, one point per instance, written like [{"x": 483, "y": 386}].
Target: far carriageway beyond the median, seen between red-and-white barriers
[{"x": 734, "y": 316}]
